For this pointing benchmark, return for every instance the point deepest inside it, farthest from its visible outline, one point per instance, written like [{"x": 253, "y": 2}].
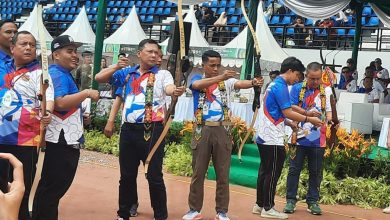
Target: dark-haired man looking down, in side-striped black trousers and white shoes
[{"x": 276, "y": 107}]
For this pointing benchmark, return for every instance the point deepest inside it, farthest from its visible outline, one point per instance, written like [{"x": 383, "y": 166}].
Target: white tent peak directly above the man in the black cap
[{"x": 80, "y": 30}]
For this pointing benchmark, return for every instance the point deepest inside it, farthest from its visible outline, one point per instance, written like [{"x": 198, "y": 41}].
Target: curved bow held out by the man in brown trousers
[{"x": 257, "y": 74}]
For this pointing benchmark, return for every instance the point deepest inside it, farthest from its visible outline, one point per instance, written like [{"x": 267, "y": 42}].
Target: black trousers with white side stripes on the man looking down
[{"x": 272, "y": 159}]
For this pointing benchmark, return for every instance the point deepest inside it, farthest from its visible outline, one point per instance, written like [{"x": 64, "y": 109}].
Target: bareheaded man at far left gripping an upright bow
[{"x": 20, "y": 82}]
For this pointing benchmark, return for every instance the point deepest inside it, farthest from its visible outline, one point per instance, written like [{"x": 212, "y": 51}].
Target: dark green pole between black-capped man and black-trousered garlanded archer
[{"x": 100, "y": 29}]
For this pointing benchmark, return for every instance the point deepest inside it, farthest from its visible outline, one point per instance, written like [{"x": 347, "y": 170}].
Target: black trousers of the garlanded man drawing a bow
[{"x": 133, "y": 149}]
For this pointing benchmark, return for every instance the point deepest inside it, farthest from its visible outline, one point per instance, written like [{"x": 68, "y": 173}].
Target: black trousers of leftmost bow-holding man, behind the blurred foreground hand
[{"x": 28, "y": 156}]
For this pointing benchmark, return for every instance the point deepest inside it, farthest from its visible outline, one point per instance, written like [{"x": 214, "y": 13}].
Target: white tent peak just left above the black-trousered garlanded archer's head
[{"x": 129, "y": 33}]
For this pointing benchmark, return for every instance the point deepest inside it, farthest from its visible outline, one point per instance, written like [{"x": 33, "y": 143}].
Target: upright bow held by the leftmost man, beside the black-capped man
[{"x": 42, "y": 98}]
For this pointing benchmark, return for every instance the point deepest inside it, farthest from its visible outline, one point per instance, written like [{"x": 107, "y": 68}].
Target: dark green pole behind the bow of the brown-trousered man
[{"x": 248, "y": 62}]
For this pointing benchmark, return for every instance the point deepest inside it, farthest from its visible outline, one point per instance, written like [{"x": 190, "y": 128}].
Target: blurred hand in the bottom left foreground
[{"x": 10, "y": 202}]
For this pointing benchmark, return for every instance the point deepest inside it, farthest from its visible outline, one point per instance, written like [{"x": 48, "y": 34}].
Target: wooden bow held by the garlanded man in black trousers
[{"x": 182, "y": 60}]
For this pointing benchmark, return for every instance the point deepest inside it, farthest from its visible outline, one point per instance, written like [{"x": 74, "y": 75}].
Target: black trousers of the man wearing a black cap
[{"x": 58, "y": 172}]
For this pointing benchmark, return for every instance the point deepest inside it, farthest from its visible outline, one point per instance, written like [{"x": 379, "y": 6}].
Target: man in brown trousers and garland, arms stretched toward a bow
[{"x": 212, "y": 138}]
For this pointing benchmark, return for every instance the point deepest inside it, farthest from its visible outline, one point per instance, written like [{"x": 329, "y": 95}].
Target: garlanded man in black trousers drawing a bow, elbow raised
[{"x": 145, "y": 88}]
